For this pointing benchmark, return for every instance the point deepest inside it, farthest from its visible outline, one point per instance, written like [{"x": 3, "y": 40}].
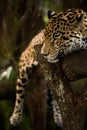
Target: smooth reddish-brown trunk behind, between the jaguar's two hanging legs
[{"x": 37, "y": 105}]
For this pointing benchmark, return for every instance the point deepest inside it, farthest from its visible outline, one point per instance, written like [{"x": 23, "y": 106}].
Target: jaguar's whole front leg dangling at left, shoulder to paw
[{"x": 28, "y": 61}]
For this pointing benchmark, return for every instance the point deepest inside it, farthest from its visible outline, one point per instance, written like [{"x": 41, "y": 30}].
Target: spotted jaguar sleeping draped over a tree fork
[{"x": 65, "y": 32}]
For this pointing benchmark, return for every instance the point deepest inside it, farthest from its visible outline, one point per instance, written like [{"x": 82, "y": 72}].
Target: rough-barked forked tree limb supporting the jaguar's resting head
[{"x": 58, "y": 77}]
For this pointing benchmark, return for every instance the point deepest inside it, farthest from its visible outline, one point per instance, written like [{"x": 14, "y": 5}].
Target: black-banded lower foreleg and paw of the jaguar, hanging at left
[{"x": 22, "y": 81}]
